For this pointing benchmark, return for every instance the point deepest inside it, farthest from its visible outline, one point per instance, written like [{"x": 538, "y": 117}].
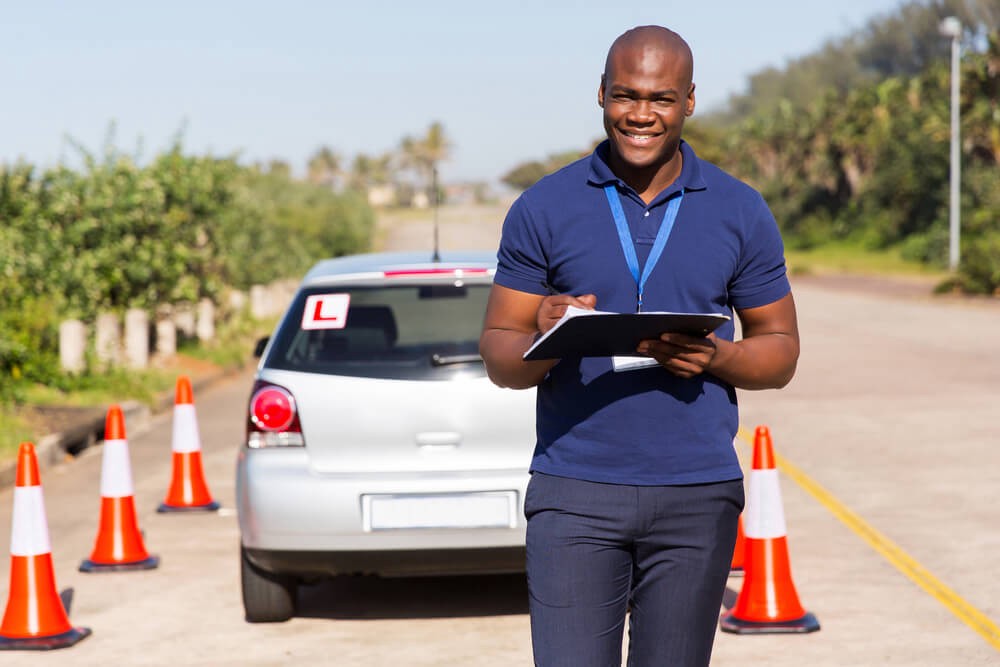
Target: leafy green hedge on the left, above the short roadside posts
[{"x": 114, "y": 235}]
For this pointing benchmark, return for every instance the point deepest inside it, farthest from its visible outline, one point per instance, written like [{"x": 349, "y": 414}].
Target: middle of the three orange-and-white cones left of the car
[{"x": 119, "y": 543}]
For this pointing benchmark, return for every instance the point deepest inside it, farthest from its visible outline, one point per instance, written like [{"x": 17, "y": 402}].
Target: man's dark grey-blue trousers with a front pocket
[{"x": 596, "y": 551}]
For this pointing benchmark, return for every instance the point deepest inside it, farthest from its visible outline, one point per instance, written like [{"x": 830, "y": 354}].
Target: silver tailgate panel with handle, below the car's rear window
[{"x": 355, "y": 424}]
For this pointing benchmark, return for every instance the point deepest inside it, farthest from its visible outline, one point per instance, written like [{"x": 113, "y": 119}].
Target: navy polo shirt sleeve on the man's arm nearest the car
[{"x": 521, "y": 259}]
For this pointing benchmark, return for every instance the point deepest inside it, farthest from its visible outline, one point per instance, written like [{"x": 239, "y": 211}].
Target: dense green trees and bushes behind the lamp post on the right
[{"x": 871, "y": 166}]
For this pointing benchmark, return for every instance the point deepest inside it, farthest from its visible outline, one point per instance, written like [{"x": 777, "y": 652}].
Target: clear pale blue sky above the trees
[{"x": 510, "y": 81}]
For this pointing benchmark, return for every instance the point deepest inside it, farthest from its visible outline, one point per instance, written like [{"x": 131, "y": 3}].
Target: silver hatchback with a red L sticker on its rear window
[{"x": 375, "y": 443}]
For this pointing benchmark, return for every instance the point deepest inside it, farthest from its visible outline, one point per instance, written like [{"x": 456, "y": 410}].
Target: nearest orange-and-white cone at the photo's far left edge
[{"x": 35, "y": 618}]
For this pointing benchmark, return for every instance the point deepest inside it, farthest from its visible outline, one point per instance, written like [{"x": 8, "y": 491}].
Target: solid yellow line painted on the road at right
[{"x": 968, "y": 614}]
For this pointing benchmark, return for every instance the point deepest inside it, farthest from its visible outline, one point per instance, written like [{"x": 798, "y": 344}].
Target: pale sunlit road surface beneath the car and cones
[{"x": 890, "y": 484}]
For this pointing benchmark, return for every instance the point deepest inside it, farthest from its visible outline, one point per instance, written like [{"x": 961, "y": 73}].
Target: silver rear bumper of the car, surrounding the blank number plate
[{"x": 293, "y": 519}]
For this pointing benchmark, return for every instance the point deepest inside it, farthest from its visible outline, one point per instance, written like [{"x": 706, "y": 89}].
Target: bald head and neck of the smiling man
[{"x": 646, "y": 93}]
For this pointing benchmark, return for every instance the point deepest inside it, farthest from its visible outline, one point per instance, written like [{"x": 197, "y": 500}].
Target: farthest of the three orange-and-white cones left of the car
[{"x": 188, "y": 490}]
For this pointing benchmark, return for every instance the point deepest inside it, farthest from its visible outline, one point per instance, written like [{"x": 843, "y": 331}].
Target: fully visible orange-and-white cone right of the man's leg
[{"x": 767, "y": 602}]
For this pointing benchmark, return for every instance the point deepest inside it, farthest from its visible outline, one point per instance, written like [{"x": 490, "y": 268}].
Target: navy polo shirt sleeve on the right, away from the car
[{"x": 761, "y": 277}]
